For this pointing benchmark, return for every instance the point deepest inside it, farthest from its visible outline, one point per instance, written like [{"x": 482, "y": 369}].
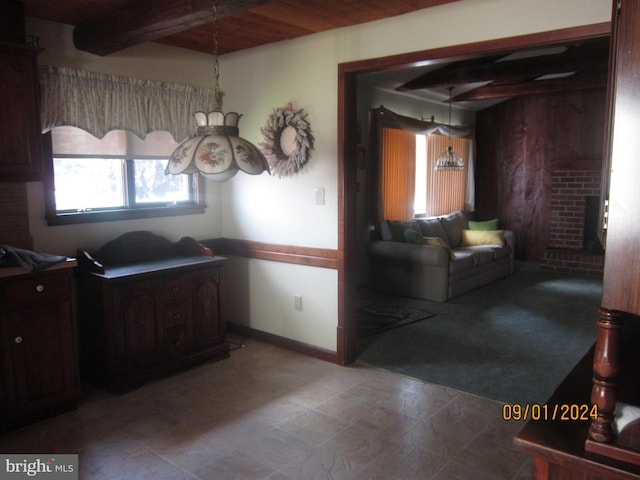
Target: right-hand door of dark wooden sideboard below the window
[{"x": 208, "y": 325}]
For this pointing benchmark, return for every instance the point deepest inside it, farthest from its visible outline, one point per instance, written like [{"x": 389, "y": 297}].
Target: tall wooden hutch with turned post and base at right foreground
[{"x": 604, "y": 448}]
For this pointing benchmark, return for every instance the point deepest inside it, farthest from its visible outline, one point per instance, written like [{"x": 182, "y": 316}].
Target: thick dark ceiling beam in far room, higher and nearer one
[{"x": 574, "y": 59}]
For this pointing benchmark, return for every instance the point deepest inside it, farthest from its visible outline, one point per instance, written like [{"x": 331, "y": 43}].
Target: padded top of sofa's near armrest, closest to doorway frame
[{"x": 408, "y": 253}]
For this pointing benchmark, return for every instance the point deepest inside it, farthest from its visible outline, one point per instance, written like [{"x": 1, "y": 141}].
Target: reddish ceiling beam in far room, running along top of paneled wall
[{"x": 575, "y": 82}]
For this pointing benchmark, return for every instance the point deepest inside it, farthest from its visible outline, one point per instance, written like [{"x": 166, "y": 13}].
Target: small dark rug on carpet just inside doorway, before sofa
[{"x": 374, "y": 318}]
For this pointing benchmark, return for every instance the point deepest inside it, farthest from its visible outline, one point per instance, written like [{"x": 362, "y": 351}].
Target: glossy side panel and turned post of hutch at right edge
[{"x": 621, "y": 283}]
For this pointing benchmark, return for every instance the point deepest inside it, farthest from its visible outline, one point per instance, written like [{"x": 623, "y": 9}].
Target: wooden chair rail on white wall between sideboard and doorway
[{"x": 314, "y": 257}]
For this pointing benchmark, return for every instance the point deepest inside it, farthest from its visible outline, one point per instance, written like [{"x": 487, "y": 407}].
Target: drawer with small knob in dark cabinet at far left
[{"x": 35, "y": 289}]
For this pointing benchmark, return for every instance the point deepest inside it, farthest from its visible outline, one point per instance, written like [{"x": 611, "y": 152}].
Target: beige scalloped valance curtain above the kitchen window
[{"x": 99, "y": 103}]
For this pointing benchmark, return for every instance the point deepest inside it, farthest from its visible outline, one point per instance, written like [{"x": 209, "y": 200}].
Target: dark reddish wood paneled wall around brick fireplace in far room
[{"x": 519, "y": 143}]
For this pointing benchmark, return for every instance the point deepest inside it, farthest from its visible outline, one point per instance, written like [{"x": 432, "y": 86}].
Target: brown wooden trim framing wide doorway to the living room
[{"x": 348, "y": 73}]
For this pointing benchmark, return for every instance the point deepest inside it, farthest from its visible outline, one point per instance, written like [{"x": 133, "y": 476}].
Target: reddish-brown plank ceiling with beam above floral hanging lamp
[{"x": 106, "y": 26}]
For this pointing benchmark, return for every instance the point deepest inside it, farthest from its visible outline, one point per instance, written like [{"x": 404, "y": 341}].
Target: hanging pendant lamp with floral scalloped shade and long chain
[{"x": 217, "y": 151}]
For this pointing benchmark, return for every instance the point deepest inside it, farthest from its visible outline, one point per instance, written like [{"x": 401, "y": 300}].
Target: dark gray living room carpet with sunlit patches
[{"x": 513, "y": 340}]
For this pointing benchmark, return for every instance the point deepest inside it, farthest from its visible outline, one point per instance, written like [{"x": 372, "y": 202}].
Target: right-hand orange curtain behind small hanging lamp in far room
[{"x": 445, "y": 188}]
